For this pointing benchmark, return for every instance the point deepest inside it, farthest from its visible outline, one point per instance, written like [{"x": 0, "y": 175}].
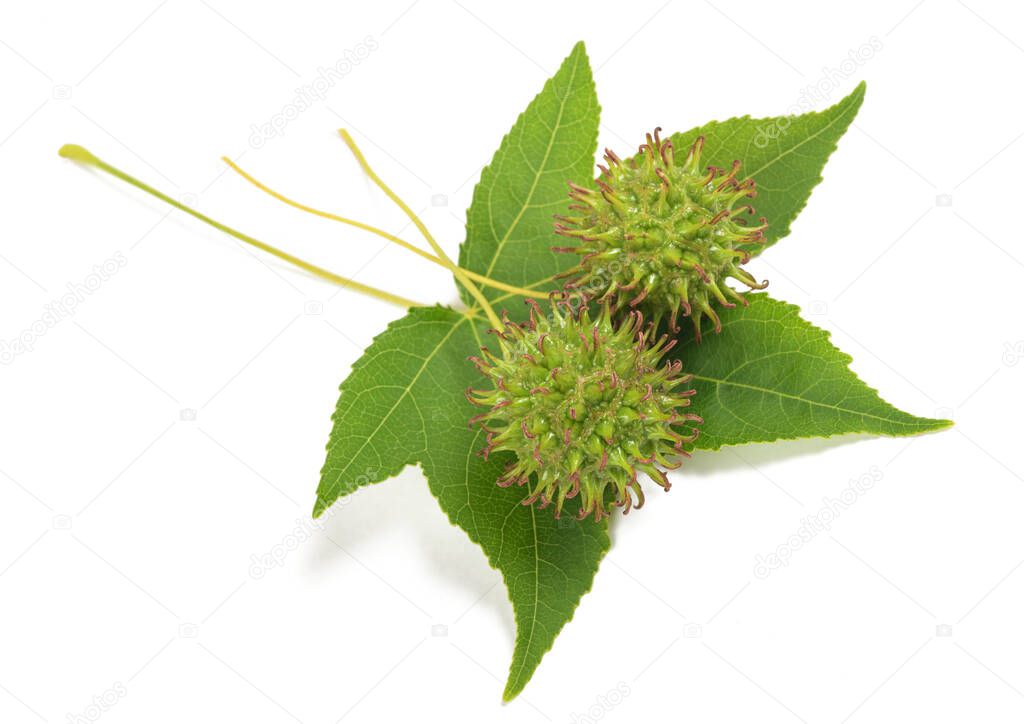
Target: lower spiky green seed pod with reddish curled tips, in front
[{"x": 586, "y": 406}]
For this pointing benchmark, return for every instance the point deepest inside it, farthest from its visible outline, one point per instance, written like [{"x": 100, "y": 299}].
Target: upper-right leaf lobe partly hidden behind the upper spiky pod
[{"x": 785, "y": 155}]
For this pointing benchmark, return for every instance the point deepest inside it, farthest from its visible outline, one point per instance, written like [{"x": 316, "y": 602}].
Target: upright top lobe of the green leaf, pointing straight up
[{"x": 509, "y": 230}]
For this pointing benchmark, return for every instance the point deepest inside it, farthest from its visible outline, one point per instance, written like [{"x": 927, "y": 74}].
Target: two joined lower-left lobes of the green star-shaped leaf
[{"x": 403, "y": 405}]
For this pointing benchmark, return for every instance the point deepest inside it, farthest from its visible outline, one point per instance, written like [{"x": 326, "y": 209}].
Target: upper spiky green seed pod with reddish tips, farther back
[{"x": 663, "y": 233}]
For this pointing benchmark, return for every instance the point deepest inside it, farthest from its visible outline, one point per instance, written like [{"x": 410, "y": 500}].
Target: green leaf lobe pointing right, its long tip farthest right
[{"x": 771, "y": 375}]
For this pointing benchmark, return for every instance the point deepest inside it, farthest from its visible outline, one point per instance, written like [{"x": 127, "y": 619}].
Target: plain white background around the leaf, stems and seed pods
[{"x": 129, "y": 532}]
